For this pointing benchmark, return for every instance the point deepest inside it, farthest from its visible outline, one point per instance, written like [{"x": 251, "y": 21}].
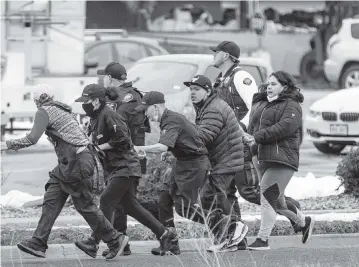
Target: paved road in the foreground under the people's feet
[{"x": 328, "y": 251}]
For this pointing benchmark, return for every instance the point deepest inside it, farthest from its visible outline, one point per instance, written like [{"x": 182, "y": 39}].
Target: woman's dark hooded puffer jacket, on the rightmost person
[{"x": 276, "y": 126}]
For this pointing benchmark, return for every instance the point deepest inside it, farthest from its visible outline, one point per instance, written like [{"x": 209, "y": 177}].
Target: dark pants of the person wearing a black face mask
[{"x": 121, "y": 190}]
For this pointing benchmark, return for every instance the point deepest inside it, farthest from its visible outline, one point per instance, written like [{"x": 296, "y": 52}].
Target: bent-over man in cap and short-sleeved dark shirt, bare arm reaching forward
[{"x": 180, "y": 137}]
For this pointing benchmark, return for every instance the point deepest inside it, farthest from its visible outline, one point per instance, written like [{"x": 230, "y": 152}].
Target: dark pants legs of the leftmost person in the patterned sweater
[{"x": 55, "y": 199}]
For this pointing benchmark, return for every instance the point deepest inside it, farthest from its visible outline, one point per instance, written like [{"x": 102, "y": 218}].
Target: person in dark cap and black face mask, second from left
[{"x": 111, "y": 134}]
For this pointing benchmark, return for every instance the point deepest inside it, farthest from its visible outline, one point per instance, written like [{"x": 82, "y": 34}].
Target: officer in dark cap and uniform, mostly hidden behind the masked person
[{"x": 123, "y": 98}]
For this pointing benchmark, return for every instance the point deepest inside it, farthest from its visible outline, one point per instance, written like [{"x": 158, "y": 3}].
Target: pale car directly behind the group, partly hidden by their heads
[{"x": 167, "y": 73}]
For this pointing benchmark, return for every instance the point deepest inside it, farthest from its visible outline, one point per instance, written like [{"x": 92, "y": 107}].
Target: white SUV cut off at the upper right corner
[{"x": 342, "y": 66}]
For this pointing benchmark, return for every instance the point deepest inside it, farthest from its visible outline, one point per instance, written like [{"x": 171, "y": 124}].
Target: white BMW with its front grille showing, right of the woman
[{"x": 333, "y": 121}]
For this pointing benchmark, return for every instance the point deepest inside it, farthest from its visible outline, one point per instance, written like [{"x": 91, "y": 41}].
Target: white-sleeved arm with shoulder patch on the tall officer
[{"x": 246, "y": 87}]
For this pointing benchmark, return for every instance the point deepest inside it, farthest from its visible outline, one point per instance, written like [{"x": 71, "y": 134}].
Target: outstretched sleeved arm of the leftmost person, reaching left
[{"x": 41, "y": 122}]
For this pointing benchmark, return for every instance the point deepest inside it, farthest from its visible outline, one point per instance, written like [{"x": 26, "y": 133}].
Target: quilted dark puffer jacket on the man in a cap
[{"x": 220, "y": 131}]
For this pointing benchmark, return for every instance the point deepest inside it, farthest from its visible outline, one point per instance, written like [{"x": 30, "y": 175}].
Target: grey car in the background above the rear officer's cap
[{"x": 118, "y": 48}]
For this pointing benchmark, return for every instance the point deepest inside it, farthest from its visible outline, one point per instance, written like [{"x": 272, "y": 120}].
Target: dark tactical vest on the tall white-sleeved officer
[{"x": 227, "y": 91}]
